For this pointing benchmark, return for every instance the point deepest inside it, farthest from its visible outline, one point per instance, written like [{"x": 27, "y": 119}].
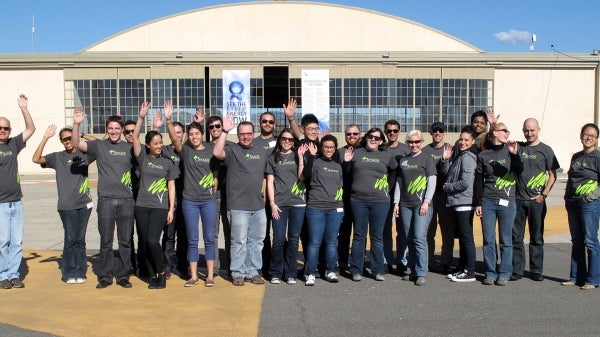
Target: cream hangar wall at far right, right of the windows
[{"x": 561, "y": 100}]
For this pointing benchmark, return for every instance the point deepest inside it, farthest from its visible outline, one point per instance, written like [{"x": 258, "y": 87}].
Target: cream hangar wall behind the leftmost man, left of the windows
[{"x": 45, "y": 90}]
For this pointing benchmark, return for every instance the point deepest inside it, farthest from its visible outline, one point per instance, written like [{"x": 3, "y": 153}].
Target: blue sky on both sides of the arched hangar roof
[{"x": 499, "y": 26}]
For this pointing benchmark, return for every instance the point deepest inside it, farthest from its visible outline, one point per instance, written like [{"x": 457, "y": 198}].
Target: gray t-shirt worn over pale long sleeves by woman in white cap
[{"x": 414, "y": 171}]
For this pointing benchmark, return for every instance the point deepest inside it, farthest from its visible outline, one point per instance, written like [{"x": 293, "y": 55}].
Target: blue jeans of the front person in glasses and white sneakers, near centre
[{"x": 323, "y": 226}]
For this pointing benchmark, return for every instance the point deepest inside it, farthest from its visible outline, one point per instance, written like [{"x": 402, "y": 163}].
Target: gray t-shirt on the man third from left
[{"x": 114, "y": 168}]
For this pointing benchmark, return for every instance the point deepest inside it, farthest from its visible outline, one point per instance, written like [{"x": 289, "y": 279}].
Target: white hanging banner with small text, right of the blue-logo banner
[{"x": 315, "y": 96}]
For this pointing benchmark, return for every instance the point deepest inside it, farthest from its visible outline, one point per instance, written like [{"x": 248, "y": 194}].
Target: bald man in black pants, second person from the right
[{"x": 533, "y": 185}]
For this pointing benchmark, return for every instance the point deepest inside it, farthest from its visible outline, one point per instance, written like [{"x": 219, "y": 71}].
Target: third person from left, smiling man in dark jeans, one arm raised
[{"x": 115, "y": 197}]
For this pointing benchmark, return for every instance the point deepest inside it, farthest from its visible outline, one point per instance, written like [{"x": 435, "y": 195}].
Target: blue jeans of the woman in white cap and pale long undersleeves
[{"x": 415, "y": 227}]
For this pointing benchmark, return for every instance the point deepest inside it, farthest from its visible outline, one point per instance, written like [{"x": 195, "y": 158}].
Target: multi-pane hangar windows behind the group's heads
[{"x": 368, "y": 102}]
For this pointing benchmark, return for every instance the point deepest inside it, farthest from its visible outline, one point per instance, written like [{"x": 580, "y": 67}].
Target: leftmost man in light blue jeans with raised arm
[{"x": 11, "y": 208}]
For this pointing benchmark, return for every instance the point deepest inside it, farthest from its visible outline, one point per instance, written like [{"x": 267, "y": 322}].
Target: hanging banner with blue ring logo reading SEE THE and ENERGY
[{"x": 236, "y": 96}]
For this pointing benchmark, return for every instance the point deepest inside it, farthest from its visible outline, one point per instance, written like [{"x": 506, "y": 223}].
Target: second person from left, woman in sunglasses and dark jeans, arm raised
[{"x": 74, "y": 200}]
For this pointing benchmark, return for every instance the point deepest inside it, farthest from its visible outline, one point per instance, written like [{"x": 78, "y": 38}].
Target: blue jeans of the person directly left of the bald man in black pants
[{"x": 505, "y": 215}]
